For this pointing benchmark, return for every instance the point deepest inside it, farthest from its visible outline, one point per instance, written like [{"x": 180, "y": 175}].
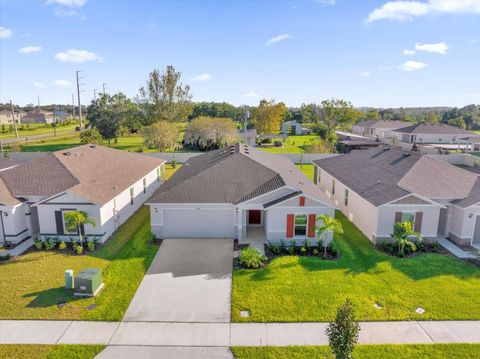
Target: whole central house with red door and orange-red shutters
[{"x": 238, "y": 192}]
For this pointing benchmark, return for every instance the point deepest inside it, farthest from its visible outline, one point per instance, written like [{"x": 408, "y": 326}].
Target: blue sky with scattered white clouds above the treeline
[{"x": 373, "y": 53}]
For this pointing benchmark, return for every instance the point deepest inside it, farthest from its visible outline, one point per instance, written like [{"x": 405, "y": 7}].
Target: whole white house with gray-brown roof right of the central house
[{"x": 378, "y": 187}]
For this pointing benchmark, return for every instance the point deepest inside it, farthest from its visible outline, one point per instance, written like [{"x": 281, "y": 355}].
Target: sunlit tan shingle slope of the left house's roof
[{"x": 103, "y": 172}]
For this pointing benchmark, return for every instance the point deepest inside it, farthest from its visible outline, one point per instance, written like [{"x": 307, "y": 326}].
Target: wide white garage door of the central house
[{"x": 198, "y": 223}]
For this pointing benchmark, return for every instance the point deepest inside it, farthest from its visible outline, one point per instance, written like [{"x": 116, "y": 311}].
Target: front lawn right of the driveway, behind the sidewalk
[{"x": 303, "y": 289}]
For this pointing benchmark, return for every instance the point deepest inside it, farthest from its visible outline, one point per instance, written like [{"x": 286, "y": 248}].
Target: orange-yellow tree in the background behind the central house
[{"x": 268, "y": 116}]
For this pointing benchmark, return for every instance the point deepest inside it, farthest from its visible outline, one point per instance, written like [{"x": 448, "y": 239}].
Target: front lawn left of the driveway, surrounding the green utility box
[{"x": 32, "y": 285}]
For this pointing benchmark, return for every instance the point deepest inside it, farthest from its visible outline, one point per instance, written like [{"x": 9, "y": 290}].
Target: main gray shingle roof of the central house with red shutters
[{"x": 232, "y": 175}]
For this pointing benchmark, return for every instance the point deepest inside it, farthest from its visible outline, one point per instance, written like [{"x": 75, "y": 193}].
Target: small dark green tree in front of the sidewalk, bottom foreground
[{"x": 343, "y": 333}]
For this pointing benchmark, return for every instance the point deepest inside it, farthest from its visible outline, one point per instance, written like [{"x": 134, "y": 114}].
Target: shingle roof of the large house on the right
[{"x": 383, "y": 175}]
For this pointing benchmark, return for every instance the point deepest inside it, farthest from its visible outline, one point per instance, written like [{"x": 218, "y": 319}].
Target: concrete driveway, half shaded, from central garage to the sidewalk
[{"x": 189, "y": 280}]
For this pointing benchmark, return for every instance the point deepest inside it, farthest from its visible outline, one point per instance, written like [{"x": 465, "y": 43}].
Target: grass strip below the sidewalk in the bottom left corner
[{"x": 62, "y": 351}]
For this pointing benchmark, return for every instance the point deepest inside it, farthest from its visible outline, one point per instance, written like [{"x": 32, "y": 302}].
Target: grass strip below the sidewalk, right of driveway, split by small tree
[{"x": 437, "y": 351}]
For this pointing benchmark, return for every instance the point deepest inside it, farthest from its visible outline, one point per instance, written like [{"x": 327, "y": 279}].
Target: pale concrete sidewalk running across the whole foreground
[{"x": 228, "y": 334}]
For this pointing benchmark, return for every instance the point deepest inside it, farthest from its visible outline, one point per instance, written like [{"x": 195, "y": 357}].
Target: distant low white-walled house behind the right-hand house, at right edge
[{"x": 425, "y": 133}]
